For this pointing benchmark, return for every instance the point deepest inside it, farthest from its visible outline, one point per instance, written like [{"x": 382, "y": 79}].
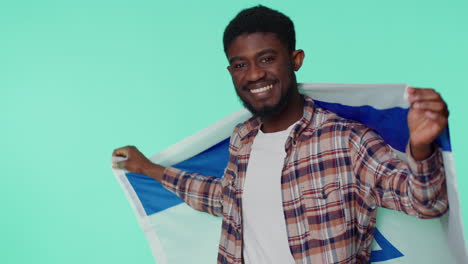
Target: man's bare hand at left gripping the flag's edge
[{"x": 136, "y": 162}]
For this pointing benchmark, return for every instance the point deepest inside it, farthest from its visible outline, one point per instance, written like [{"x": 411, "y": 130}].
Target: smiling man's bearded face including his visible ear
[{"x": 262, "y": 70}]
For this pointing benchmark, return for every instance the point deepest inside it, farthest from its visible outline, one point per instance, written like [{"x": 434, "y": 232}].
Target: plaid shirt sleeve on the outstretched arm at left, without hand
[{"x": 203, "y": 193}]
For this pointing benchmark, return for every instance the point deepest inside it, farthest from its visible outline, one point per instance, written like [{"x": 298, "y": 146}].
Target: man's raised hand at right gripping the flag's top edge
[{"x": 427, "y": 118}]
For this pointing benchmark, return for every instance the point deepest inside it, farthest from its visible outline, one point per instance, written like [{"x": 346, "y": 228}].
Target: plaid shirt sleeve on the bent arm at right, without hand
[{"x": 416, "y": 188}]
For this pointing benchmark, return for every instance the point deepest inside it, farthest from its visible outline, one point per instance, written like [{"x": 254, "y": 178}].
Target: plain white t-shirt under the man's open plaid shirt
[{"x": 264, "y": 226}]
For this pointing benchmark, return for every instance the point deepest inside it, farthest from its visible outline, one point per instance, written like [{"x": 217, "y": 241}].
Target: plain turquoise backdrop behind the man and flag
[{"x": 80, "y": 78}]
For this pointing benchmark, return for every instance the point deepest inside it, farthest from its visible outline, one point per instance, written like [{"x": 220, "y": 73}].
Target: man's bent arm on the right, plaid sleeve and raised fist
[{"x": 417, "y": 187}]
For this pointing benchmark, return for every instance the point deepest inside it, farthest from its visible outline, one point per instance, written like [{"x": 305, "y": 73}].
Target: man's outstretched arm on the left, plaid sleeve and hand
[{"x": 202, "y": 193}]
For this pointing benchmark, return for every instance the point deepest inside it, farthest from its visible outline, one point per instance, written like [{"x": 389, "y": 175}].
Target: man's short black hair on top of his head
[{"x": 261, "y": 19}]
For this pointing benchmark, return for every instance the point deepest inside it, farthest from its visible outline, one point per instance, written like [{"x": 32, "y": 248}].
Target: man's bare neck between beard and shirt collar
[{"x": 291, "y": 114}]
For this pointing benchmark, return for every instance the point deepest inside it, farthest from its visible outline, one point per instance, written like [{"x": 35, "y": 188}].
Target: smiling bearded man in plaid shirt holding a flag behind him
[{"x": 302, "y": 184}]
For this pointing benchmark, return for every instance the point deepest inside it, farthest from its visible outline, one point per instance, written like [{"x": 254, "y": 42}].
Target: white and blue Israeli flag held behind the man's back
[{"x": 178, "y": 234}]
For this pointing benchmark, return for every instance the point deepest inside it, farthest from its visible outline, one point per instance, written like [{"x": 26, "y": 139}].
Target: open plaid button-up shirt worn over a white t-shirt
[{"x": 336, "y": 173}]
